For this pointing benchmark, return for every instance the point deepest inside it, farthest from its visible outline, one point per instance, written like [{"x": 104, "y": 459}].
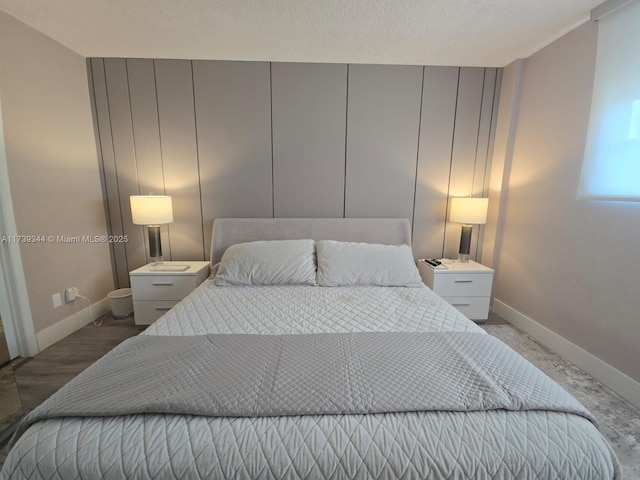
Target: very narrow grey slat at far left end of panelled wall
[{"x": 110, "y": 175}]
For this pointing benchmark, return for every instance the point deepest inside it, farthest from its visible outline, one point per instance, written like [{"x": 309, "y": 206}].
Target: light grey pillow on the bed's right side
[{"x": 349, "y": 263}]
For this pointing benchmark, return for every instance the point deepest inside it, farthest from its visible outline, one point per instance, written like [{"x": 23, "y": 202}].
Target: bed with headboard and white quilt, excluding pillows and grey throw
[{"x": 497, "y": 443}]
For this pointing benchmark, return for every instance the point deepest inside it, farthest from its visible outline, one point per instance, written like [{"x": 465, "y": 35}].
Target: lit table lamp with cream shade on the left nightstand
[{"x": 152, "y": 211}]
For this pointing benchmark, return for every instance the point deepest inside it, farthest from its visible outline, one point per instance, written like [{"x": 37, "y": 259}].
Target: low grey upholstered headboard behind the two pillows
[{"x": 229, "y": 231}]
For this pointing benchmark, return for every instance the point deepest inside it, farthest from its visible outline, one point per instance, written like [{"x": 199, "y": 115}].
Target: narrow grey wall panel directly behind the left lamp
[{"x": 146, "y": 135}]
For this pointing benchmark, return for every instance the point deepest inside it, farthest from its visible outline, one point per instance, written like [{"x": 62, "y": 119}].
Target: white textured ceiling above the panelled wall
[{"x": 426, "y": 32}]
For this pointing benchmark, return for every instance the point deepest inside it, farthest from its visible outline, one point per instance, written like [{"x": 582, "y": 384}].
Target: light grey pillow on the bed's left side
[{"x": 276, "y": 262}]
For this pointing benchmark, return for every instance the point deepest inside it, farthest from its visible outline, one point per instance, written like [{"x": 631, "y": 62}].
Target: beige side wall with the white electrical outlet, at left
[{"x": 53, "y": 168}]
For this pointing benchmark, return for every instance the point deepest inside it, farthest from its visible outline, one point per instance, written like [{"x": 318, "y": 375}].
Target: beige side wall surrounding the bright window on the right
[{"x": 570, "y": 265}]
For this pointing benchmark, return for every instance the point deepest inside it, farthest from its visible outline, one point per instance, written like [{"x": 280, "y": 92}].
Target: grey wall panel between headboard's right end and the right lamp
[{"x": 436, "y": 134}]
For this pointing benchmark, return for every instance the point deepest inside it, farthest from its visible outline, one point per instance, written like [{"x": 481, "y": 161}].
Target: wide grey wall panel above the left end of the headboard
[{"x": 233, "y": 108}]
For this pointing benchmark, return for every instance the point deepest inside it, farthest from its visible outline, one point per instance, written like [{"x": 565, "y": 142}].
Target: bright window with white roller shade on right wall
[{"x": 611, "y": 169}]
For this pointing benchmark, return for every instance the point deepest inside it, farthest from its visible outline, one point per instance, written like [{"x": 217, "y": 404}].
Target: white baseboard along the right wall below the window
[{"x": 613, "y": 378}]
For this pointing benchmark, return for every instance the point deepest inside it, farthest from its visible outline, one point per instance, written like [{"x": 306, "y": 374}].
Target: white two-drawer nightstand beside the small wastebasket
[{"x": 155, "y": 291}]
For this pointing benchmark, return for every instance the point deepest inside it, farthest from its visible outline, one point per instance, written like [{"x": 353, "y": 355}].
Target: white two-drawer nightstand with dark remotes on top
[{"x": 466, "y": 286}]
